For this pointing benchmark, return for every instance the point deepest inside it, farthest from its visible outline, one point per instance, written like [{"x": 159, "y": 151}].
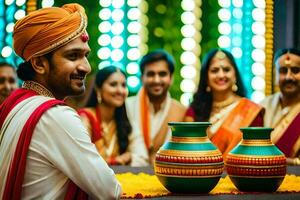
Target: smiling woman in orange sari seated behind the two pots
[{"x": 220, "y": 100}]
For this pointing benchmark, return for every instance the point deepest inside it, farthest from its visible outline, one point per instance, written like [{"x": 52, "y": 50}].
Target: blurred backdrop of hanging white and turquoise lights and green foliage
[{"x": 121, "y": 31}]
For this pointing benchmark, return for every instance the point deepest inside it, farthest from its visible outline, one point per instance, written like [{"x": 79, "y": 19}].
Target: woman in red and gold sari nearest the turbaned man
[{"x": 106, "y": 119}]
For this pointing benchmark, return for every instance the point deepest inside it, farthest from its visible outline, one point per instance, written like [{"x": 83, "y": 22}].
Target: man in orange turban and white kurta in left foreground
[{"x": 46, "y": 151}]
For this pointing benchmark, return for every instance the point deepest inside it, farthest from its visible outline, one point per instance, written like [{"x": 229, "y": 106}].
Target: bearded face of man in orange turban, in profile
[{"x": 68, "y": 68}]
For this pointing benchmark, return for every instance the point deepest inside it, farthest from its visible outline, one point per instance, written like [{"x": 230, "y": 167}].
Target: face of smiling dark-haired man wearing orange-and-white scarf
[{"x": 157, "y": 79}]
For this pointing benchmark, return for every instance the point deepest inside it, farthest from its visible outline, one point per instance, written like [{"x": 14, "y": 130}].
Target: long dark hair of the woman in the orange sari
[{"x": 202, "y": 100}]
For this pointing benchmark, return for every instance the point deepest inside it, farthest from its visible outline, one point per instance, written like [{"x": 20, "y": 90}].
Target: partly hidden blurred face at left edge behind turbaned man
[{"x": 8, "y": 81}]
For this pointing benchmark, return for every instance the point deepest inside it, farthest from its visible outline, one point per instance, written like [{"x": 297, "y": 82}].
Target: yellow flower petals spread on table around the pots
[{"x": 144, "y": 186}]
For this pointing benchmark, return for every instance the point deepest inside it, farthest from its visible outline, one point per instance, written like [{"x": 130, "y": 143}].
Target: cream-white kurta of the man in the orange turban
[{"x": 60, "y": 150}]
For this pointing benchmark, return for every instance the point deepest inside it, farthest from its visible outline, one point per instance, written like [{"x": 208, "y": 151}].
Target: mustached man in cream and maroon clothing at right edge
[{"x": 283, "y": 107}]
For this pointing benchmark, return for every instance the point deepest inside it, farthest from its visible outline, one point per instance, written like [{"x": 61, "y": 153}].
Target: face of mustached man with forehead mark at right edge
[{"x": 289, "y": 74}]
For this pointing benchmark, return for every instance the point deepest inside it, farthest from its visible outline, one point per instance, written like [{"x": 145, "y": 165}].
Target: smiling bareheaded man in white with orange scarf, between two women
[{"x": 152, "y": 108}]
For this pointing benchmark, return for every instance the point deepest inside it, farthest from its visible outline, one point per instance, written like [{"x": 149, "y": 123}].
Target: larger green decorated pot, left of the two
[{"x": 189, "y": 162}]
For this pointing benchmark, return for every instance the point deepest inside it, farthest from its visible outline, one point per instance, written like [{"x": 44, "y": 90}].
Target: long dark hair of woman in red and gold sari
[{"x": 123, "y": 126}]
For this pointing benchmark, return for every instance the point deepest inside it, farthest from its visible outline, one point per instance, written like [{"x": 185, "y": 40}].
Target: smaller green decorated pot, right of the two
[{"x": 256, "y": 164}]
